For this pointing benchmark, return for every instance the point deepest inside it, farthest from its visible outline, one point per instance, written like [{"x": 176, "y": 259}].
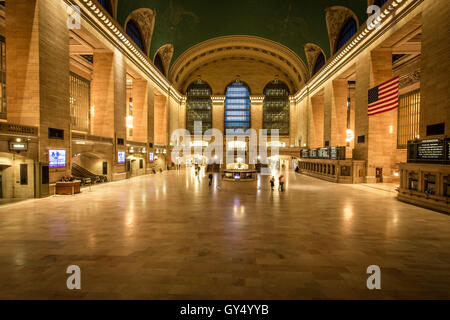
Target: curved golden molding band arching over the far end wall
[{"x": 243, "y": 48}]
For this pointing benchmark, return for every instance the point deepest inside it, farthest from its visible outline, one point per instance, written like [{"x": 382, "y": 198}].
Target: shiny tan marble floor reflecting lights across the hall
[{"x": 171, "y": 236}]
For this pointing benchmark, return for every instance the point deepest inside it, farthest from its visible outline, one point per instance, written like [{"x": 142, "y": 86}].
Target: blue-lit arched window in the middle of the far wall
[{"x": 237, "y": 108}]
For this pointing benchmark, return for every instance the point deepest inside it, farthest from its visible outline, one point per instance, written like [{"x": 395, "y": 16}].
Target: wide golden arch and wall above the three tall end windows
[{"x": 255, "y": 59}]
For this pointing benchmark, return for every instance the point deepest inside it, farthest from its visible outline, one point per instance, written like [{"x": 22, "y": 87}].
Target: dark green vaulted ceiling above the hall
[{"x": 293, "y": 23}]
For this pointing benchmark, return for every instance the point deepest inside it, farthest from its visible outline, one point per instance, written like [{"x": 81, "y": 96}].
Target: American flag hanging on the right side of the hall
[{"x": 384, "y": 98}]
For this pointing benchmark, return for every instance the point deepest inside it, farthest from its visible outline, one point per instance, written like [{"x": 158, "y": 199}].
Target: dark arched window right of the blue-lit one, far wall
[{"x": 276, "y": 107}]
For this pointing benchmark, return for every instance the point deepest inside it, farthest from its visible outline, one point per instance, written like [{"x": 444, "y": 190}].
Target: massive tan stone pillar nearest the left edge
[{"x": 37, "y": 55}]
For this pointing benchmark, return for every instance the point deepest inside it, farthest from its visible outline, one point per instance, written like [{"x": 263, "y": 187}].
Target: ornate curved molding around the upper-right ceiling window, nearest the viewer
[{"x": 336, "y": 17}]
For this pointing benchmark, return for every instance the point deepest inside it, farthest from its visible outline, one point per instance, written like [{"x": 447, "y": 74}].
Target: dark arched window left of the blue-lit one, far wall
[{"x": 198, "y": 106}]
